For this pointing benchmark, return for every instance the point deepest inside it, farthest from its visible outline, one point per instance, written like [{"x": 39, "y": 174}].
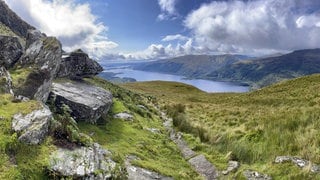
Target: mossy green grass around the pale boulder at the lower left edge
[{"x": 17, "y": 160}]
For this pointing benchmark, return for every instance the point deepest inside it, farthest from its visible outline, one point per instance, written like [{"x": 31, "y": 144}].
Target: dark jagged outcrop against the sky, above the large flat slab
[{"x": 77, "y": 64}]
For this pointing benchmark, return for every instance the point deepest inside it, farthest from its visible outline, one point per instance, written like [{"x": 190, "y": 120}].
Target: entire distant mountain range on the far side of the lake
[{"x": 257, "y": 72}]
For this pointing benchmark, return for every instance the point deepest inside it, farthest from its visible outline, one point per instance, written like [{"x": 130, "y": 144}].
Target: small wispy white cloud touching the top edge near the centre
[{"x": 168, "y": 10}]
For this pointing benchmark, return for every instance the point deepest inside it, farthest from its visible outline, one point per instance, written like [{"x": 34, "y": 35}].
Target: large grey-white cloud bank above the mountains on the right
[{"x": 256, "y": 26}]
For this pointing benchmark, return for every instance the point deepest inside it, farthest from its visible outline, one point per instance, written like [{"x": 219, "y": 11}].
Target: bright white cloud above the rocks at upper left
[{"x": 72, "y": 23}]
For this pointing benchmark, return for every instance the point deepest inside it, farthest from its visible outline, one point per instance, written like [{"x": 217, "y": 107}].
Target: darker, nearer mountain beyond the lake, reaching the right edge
[{"x": 266, "y": 71}]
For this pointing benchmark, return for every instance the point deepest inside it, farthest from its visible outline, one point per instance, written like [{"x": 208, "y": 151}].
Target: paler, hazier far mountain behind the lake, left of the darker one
[{"x": 191, "y": 66}]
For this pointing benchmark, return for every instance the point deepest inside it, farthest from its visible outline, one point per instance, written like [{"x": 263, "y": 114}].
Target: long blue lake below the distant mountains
[{"x": 204, "y": 85}]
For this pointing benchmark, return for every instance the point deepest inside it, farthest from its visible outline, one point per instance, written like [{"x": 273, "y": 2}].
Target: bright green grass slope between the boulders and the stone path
[{"x": 155, "y": 151}]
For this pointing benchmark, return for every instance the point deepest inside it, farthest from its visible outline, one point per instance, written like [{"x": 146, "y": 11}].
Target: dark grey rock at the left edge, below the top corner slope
[{"x": 10, "y": 51}]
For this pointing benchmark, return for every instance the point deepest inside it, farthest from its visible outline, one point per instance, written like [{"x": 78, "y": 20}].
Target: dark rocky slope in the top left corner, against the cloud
[{"x": 14, "y": 22}]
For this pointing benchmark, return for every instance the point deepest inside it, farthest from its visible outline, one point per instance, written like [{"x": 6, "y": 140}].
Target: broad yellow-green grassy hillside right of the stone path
[{"x": 252, "y": 128}]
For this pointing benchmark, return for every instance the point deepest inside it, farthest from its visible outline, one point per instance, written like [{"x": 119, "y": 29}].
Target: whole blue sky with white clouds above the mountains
[{"x": 154, "y": 29}]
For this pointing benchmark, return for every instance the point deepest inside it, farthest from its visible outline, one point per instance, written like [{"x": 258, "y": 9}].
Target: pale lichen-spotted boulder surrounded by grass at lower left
[{"x": 32, "y": 128}]
